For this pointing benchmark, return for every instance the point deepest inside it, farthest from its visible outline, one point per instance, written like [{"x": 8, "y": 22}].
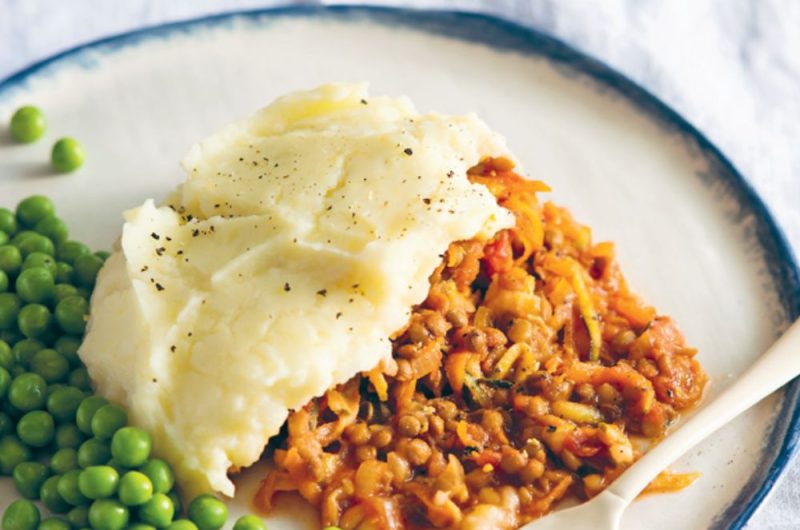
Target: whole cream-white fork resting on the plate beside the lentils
[{"x": 779, "y": 365}]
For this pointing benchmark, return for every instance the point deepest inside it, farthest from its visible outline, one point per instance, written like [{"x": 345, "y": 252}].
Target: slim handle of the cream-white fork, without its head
[{"x": 779, "y": 365}]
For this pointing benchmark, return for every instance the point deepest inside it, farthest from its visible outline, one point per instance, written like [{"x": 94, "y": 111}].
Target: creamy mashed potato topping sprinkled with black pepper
[{"x": 297, "y": 246}]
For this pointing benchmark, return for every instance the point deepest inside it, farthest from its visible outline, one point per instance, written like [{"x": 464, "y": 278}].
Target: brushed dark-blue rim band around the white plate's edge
[{"x": 504, "y": 35}]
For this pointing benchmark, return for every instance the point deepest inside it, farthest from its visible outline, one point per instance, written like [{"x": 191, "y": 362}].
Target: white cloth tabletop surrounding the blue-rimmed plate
[{"x": 731, "y": 67}]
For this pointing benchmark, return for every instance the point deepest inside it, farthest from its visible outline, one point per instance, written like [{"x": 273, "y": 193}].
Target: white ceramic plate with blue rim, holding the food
[{"x": 691, "y": 234}]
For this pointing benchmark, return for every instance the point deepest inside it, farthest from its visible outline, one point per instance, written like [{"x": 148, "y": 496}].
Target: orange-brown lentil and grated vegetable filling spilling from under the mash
[{"x": 531, "y": 372}]
